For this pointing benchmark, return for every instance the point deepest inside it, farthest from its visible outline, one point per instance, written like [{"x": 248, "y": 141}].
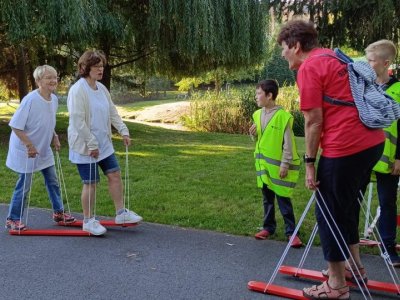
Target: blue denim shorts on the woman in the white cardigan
[{"x": 90, "y": 172}]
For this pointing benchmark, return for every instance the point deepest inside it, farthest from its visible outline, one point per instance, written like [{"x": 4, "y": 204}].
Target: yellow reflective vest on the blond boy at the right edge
[{"x": 385, "y": 163}]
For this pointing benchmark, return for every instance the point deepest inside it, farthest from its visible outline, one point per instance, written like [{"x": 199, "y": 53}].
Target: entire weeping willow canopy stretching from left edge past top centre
[{"x": 175, "y": 37}]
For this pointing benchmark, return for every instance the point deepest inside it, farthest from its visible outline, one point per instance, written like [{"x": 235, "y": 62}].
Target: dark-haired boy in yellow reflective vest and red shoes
[{"x": 277, "y": 161}]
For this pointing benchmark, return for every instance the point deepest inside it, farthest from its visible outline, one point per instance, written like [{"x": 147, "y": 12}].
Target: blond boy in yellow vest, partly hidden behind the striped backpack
[{"x": 380, "y": 55}]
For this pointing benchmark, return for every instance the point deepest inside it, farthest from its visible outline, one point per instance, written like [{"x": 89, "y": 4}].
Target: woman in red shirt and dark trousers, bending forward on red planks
[{"x": 349, "y": 150}]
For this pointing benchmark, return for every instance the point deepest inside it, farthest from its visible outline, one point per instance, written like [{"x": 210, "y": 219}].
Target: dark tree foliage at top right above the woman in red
[{"x": 354, "y": 23}]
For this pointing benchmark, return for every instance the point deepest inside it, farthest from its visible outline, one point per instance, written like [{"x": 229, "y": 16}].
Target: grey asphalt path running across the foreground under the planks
[{"x": 149, "y": 261}]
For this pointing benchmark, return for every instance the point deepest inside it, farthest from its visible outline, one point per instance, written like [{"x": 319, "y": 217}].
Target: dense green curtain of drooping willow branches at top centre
[{"x": 193, "y": 37}]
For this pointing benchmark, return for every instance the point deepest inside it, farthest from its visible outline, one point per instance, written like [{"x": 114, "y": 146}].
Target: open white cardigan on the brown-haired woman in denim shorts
[{"x": 80, "y": 139}]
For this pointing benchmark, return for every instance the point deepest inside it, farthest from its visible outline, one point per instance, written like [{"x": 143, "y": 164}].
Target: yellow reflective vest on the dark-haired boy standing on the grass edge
[{"x": 268, "y": 154}]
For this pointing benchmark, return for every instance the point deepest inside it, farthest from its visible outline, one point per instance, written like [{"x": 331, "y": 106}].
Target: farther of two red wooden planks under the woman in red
[{"x": 317, "y": 275}]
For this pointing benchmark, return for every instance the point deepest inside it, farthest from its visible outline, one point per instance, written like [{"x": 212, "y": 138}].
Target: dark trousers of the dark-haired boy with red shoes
[{"x": 285, "y": 206}]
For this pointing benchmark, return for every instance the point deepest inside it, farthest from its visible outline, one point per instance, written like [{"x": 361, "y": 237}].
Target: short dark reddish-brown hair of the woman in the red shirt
[{"x": 300, "y": 31}]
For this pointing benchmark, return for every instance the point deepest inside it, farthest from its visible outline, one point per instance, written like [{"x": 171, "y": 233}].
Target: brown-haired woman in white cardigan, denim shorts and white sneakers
[{"x": 91, "y": 114}]
